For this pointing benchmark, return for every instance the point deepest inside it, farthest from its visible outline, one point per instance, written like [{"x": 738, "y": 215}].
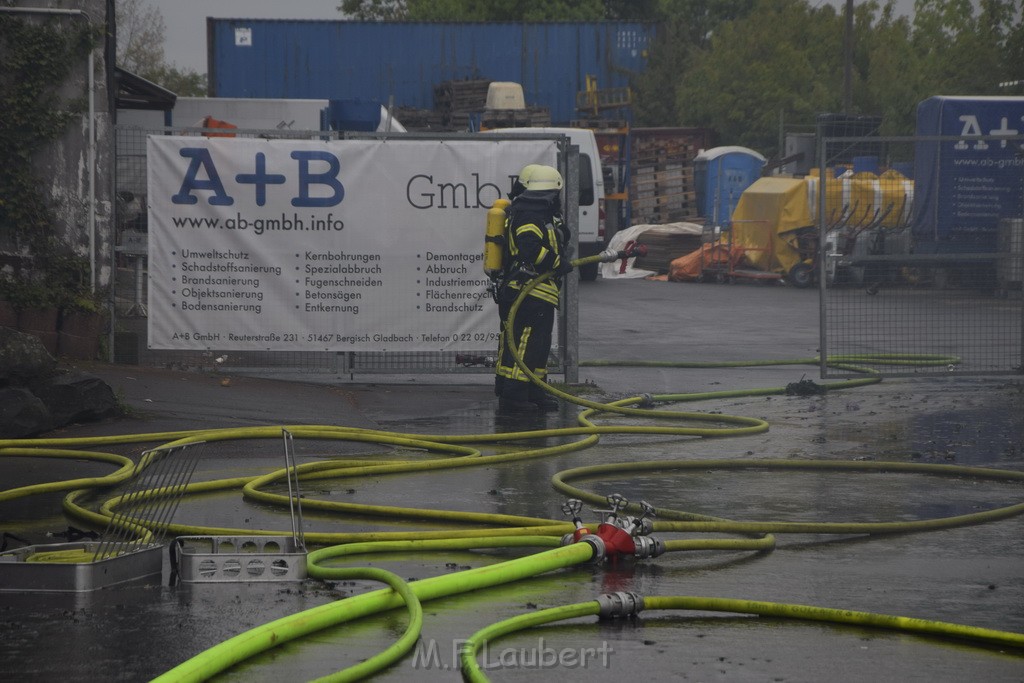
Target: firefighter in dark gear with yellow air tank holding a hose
[{"x": 537, "y": 241}]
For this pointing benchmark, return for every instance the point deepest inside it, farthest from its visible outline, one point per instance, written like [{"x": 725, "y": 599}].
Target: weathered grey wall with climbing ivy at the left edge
[{"x": 46, "y": 199}]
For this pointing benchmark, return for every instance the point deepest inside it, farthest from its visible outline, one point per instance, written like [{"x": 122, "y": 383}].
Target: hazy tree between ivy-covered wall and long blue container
[{"x": 141, "y": 32}]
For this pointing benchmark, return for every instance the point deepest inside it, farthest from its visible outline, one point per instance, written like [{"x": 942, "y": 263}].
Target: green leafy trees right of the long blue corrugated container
[{"x": 785, "y": 58}]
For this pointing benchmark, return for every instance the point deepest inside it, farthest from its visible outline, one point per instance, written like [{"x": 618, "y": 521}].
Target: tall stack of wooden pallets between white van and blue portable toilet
[{"x": 662, "y": 188}]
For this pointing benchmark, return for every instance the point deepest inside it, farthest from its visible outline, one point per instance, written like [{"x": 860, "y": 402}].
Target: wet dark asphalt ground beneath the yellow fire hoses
[{"x": 971, "y": 575}]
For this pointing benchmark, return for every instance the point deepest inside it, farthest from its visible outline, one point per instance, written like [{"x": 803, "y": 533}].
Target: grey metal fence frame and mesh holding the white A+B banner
[{"x": 130, "y": 343}]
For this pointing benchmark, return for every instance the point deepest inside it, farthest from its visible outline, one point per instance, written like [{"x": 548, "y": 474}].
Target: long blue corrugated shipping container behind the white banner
[{"x": 375, "y": 61}]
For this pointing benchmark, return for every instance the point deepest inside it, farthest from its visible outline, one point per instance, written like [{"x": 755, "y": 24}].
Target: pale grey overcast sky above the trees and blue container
[{"x": 185, "y": 47}]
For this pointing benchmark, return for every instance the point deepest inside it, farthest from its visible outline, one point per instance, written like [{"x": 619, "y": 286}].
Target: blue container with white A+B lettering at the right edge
[{"x": 963, "y": 187}]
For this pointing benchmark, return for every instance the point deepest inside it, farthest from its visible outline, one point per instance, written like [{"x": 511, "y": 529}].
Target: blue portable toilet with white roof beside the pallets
[{"x": 722, "y": 175}]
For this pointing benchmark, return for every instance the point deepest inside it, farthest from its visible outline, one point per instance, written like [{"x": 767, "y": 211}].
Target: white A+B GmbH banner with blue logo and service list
[{"x": 325, "y": 246}]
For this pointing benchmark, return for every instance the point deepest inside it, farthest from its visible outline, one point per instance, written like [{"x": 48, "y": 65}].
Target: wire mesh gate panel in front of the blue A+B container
[{"x": 921, "y": 260}]
